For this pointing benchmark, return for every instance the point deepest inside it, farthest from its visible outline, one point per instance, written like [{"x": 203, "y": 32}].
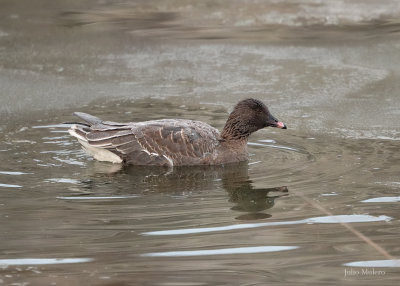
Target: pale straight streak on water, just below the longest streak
[{"x": 221, "y": 251}]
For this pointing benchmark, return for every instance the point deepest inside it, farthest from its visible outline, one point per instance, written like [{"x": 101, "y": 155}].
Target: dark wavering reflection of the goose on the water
[{"x": 181, "y": 181}]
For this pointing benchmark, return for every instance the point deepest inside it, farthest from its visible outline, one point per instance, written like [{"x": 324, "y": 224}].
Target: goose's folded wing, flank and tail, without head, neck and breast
[{"x": 158, "y": 142}]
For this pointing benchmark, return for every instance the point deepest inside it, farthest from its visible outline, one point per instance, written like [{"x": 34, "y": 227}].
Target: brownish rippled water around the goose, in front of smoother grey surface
[{"x": 217, "y": 225}]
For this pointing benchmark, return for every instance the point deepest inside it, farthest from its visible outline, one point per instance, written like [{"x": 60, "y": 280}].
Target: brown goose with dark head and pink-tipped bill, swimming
[{"x": 174, "y": 142}]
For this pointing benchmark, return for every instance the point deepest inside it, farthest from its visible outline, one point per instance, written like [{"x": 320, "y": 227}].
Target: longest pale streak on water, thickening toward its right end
[{"x": 322, "y": 219}]
